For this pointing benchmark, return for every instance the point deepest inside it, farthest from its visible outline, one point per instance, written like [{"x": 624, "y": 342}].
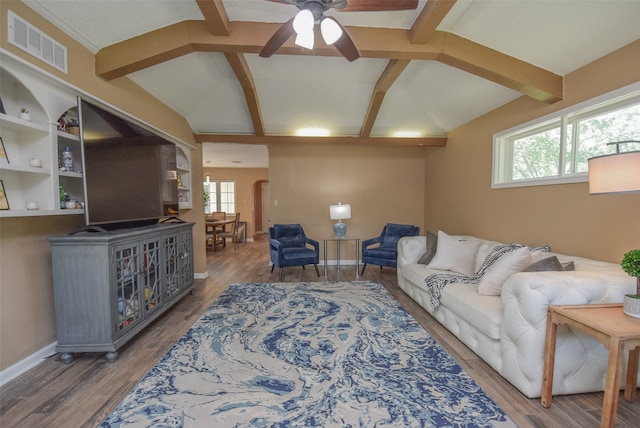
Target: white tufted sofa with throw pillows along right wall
[{"x": 508, "y": 331}]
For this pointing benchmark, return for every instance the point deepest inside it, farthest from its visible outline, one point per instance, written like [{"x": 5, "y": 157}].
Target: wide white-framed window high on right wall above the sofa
[{"x": 555, "y": 149}]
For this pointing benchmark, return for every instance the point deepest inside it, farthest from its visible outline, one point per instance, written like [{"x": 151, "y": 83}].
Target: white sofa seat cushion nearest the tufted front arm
[{"x": 483, "y": 312}]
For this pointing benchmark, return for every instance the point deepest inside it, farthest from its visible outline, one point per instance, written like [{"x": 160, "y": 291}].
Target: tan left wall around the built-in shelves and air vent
[{"x": 27, "y": 322}]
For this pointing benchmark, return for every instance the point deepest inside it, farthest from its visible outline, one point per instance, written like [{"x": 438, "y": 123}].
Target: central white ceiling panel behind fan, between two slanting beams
[{"x": 299, "y": 92}]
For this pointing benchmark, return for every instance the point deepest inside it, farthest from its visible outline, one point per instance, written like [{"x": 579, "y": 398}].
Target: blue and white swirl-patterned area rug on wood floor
[{"x": 326, "y": 354}]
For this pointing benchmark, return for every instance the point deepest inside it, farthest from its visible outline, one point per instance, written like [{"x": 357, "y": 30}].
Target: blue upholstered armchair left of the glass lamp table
[{"x": 289, "y": 246}]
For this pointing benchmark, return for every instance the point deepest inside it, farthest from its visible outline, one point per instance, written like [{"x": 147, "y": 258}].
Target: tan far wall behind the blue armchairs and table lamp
[{"x": 382, "y": 184}]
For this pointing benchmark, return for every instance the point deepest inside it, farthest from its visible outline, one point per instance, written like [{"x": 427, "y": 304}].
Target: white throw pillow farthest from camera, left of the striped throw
[{"x": 455, "y": 254}]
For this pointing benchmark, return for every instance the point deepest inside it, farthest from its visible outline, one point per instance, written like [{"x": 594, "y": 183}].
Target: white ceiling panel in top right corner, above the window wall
[{"x": 559, "y": 36}]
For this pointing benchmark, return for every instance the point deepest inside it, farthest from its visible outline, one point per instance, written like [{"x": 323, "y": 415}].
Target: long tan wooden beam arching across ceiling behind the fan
[{"x": 185, "y": 37}]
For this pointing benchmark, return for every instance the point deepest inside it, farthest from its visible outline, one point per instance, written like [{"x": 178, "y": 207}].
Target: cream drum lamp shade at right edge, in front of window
[{"x": 617, "y": 173}]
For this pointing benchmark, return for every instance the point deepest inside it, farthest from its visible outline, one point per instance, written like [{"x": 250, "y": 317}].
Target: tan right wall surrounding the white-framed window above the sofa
[{"x": 459, "y": 198}]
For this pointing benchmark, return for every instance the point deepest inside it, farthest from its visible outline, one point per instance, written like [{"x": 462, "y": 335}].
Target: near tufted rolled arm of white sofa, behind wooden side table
[{"x": 581, "y": 362}]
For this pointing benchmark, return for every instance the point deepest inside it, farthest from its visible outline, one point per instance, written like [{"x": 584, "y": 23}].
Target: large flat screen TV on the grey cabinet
[{"x": 130, "y": 176}]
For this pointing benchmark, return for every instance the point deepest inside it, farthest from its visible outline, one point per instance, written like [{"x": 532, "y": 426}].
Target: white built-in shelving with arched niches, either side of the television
[{"x": 38, "y": 140}]
